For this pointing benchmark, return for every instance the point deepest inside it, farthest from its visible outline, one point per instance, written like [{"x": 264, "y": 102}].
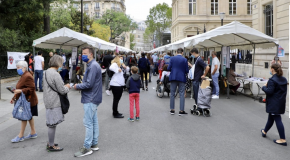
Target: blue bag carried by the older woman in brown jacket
[{"x": 22, "y": 109}]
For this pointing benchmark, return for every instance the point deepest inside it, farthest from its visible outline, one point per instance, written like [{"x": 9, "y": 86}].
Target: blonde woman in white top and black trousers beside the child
[{"x": 117, "y": 83}]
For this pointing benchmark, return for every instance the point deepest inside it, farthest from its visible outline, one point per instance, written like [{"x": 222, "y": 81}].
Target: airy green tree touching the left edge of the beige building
[{"x": 159, "y": 19}]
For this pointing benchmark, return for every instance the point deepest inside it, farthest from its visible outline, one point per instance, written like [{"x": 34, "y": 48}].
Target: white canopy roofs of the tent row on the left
[{"x": 66, "y": 38}]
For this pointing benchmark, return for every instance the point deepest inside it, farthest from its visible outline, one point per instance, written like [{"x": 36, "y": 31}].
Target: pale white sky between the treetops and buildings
[{"x": 139, "y": 9}]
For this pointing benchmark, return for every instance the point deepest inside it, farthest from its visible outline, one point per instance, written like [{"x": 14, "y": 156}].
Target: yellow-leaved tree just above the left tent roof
[{"x": 101, "y": 31}]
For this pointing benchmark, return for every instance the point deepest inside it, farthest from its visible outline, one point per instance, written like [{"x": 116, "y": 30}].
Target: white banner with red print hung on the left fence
[{"x": 14, "y": 58}]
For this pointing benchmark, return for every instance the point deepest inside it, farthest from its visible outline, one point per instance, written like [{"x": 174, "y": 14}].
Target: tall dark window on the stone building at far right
[{"x": 268, "y": 11}]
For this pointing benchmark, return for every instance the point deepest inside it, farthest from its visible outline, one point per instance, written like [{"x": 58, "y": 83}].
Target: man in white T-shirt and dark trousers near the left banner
[{"x": 38, "y": 70}]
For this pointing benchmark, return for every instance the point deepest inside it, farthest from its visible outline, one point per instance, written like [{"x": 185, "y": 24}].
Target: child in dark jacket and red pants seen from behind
[{"x": 133, "y": 85}]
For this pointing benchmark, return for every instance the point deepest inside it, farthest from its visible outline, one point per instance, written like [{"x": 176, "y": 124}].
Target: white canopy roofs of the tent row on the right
[{"x": 235, "y": 35}]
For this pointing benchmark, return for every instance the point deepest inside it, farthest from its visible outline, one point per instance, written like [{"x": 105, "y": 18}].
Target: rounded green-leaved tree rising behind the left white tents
[{"x": 117, "y": 21}]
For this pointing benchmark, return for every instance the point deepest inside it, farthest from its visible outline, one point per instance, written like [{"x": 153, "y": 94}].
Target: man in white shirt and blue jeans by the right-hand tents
[{"x": 215, "y": 66}]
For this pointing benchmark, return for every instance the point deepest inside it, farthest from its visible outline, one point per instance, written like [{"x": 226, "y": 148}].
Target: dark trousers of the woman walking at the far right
[{"x": 279, "y": 124}]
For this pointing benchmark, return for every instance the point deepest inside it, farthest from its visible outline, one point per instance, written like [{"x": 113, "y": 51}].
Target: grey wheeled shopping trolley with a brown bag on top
[{"x": 203, "y": 100}]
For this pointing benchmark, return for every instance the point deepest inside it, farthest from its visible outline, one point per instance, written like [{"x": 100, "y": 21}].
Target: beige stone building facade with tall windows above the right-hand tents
[{"x": 190, "y": 17}]
